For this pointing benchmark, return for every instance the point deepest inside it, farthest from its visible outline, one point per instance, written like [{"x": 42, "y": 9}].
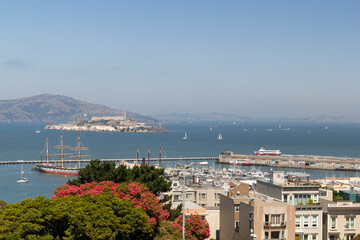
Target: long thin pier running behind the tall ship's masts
[{"x": 114, "y": 160}]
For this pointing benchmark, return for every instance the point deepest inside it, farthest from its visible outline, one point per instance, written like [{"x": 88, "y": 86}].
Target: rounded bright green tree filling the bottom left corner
[{"x": 75, "y": 217}]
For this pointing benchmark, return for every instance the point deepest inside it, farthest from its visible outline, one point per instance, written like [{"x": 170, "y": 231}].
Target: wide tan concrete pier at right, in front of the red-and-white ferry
[{"x": 295, "y": 161}]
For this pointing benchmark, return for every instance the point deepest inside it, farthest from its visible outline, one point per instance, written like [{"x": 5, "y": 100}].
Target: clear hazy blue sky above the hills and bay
[{"x": 251, "y": 58}]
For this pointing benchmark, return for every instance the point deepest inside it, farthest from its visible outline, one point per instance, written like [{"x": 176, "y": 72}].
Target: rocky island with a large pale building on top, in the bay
[{"x": 107, "y": 124}]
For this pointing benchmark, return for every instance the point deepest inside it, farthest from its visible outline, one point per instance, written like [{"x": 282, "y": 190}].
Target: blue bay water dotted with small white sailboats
[{"x": 19, "y": 141}]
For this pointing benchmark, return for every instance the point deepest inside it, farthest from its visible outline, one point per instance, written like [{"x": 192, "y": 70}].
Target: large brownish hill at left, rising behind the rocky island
[{"x": 55, "y": 108}]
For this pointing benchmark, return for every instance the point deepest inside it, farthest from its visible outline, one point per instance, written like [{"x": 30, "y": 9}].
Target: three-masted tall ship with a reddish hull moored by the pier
[{"x": 57, "y": 166}]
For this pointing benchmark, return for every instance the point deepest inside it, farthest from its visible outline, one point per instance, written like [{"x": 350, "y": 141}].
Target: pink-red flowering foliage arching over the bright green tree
[{"x": 196, "y": 228}]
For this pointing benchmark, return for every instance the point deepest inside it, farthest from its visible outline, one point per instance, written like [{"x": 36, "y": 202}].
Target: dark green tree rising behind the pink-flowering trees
[{"x": 98, "y": 171}]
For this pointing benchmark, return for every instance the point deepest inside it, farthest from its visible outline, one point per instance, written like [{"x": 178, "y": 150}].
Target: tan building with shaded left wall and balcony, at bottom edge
[{"x": 245, "y": 215}]
